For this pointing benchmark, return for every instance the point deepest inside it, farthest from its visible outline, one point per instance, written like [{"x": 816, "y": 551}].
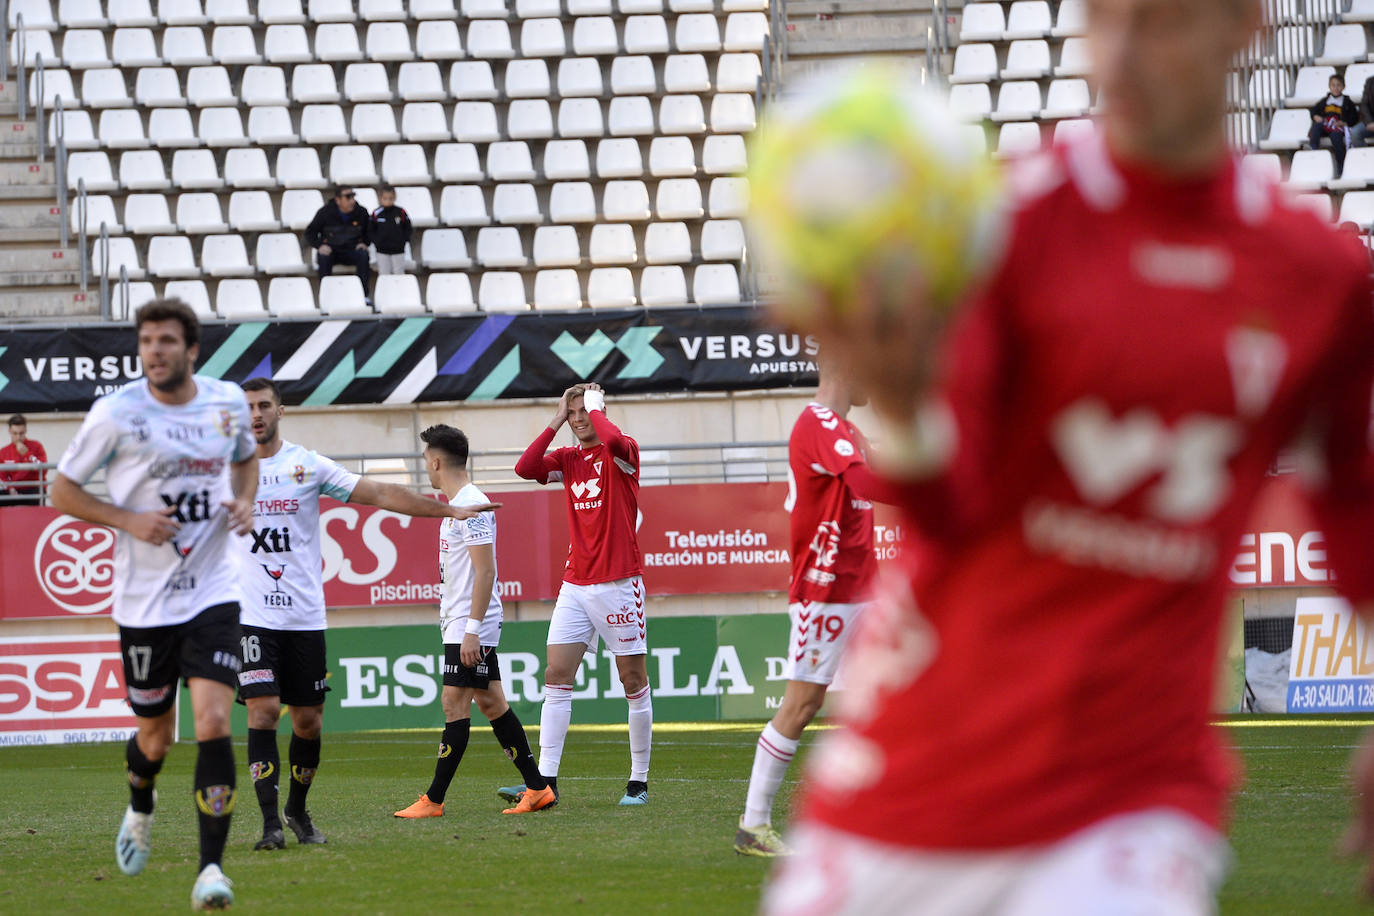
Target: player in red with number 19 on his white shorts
[{"x": 833, "y": 566}]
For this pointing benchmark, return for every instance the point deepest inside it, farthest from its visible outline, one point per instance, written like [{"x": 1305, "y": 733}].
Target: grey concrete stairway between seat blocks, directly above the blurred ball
[{"x": 821, "y": 32}]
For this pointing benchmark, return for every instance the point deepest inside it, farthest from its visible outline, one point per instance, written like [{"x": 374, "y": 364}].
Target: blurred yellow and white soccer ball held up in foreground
[{"x": 861, "y": 176}]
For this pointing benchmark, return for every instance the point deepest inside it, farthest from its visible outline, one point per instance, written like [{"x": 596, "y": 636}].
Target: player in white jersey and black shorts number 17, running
[{"x": 182, "y": 476}]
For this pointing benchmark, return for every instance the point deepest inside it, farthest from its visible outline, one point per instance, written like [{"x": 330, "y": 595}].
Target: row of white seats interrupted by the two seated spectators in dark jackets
[{"x": 280, "y": 253}]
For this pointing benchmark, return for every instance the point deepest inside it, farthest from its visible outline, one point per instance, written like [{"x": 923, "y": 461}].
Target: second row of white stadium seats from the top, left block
[{"x": 435, "y": 41}]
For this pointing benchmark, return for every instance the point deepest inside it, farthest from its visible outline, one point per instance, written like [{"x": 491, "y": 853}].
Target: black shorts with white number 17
[{"x": 156, "y": 657}]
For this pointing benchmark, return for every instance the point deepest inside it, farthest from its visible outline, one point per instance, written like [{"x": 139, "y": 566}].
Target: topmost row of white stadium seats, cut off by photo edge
[{"x": 89, "y": 14}]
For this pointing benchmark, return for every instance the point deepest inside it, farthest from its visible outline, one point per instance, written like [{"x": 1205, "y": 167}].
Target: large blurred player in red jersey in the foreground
[{"x": 1028, "y": 726}]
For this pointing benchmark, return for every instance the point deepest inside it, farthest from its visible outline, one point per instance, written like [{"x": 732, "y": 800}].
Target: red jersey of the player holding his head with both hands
[{"x": 602, "y": 485}]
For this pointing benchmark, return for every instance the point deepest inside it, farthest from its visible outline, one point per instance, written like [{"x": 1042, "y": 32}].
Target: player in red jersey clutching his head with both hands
[{"x": 604, "y": 590}]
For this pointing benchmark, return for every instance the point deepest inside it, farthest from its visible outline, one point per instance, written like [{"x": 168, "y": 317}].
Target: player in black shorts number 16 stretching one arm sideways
[{"x": 284, "y": 613}]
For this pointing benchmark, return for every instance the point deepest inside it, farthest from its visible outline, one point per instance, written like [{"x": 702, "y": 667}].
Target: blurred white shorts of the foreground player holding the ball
[{"x": 1152, "y": 863}]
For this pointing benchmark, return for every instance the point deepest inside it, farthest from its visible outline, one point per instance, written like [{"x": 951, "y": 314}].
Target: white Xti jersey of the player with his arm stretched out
[{"x": 281, "y": 558}]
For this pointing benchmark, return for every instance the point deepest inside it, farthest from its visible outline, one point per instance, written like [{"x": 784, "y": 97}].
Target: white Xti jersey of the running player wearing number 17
[{"x": 168, "y": 457}]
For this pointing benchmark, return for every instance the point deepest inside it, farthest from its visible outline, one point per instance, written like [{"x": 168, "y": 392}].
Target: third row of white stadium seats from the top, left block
[{"x": 416, "y": 82}]
